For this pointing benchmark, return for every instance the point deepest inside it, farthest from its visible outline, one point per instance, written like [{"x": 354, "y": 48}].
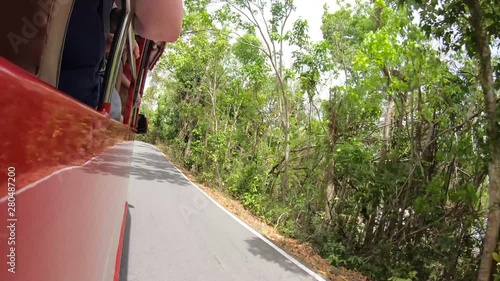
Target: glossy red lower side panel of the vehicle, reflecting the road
[{"x": 72, "y": 169}]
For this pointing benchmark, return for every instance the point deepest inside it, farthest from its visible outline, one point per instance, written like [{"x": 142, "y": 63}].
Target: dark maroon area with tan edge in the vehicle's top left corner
[{"x": 33, "y": 35}]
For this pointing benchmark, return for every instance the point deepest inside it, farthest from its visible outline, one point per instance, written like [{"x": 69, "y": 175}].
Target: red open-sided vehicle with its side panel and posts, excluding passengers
[{"x": 52, "y": 139}]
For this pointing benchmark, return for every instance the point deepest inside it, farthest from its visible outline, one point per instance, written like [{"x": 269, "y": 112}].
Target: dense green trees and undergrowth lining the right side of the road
[{"x": 379, "y": 145}]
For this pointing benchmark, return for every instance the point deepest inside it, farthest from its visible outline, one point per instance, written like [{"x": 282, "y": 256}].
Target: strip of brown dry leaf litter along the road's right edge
[{"x": 302, "y": 252}]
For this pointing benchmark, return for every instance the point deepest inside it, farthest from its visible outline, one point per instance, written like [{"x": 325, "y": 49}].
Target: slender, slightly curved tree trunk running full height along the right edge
[{"x": 482, "y": 45}]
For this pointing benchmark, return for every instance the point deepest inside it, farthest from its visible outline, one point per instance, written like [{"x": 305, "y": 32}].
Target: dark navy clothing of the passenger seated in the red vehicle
[{"x": 84, "y": 49}]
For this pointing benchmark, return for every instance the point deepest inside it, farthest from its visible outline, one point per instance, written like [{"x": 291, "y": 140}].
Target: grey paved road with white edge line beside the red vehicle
[{"x": 174, "y": 232}]
